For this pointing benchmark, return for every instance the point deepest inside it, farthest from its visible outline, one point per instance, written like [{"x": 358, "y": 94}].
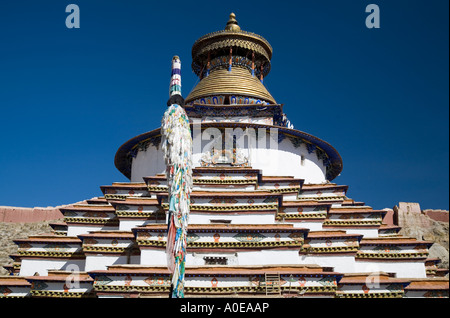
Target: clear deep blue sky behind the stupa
[{"x": 69, "y": 98}]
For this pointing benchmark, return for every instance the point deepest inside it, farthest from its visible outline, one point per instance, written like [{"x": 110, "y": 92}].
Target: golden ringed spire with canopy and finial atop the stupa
[{"x": 231, "y": 63}]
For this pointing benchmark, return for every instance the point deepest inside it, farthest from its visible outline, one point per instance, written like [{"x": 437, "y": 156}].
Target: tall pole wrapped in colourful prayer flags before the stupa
[{"x": 176, "y": 143}]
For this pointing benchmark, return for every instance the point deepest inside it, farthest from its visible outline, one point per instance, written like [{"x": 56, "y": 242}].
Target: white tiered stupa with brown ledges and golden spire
[{"x": 265, "y": 220}]
